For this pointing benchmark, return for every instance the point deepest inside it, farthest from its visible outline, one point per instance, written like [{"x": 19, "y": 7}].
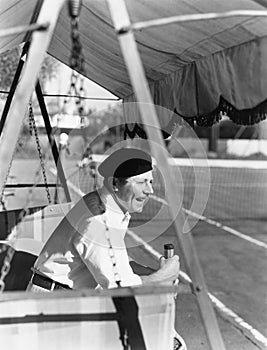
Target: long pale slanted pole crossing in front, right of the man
[{"x": 136, "y": 72}]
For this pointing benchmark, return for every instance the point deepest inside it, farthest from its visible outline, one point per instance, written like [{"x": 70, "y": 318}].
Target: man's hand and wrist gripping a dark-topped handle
[{"x": 167, "y": 273}]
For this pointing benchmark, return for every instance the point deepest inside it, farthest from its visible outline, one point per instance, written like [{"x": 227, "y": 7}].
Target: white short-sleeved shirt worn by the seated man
[{"x": 78, "y": 253}]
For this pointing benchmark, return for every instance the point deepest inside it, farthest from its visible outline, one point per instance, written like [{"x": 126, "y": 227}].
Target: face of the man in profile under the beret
[{"x": 134, "y": 194}]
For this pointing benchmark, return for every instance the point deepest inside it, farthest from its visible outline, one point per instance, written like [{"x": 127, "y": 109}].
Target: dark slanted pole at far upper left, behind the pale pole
[{"x": 19, "y": 67}]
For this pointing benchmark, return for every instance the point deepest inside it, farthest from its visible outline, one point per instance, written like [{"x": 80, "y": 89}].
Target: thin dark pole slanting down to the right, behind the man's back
[{"x": 52, "y": 140}]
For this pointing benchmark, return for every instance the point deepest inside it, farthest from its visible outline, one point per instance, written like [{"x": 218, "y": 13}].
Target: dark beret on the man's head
[{"x": 125, "y": 162}]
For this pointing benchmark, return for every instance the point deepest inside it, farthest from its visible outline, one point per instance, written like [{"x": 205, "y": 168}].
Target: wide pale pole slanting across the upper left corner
[{"x": 39, "y": 45}]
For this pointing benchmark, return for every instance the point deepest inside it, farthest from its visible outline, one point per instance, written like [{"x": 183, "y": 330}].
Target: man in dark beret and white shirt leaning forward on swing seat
[{"x": 87, "y": 249}]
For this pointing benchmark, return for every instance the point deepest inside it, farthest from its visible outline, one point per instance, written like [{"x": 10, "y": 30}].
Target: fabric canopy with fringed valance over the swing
[{"x": 197, "y": 69}]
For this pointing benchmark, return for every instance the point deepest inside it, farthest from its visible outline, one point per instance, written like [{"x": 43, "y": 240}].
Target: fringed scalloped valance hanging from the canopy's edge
[{"x": 232, "y": 83}]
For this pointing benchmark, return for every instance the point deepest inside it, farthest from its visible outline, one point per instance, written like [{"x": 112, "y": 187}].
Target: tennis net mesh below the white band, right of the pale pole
[{"x": 234, "y": 193}]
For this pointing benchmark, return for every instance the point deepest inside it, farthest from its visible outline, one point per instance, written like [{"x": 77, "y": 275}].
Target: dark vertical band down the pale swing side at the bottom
[{"x": 130, "y": 329}]
